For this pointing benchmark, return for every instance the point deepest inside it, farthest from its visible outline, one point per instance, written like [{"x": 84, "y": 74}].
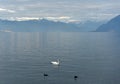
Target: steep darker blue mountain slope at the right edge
[{"x": 111, "y": 26}]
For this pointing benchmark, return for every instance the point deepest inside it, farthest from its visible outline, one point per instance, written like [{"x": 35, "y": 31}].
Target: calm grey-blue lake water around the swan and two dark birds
[{"x": 94, "y": 57}]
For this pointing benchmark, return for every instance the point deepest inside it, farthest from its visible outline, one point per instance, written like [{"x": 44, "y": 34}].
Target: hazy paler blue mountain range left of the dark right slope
[{"x": 44, "y": 25}]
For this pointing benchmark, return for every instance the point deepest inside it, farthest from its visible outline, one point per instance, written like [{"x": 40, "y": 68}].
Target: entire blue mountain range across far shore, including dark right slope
[{"x": 44, "y": 25}]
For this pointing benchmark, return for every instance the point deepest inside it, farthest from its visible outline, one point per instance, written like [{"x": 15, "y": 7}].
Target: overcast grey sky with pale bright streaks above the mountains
[{"x": 59, "y": 10}]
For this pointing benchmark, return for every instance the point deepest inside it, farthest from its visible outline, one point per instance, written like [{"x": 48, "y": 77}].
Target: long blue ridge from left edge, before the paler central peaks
[{"x": 37, "y": 26}]
